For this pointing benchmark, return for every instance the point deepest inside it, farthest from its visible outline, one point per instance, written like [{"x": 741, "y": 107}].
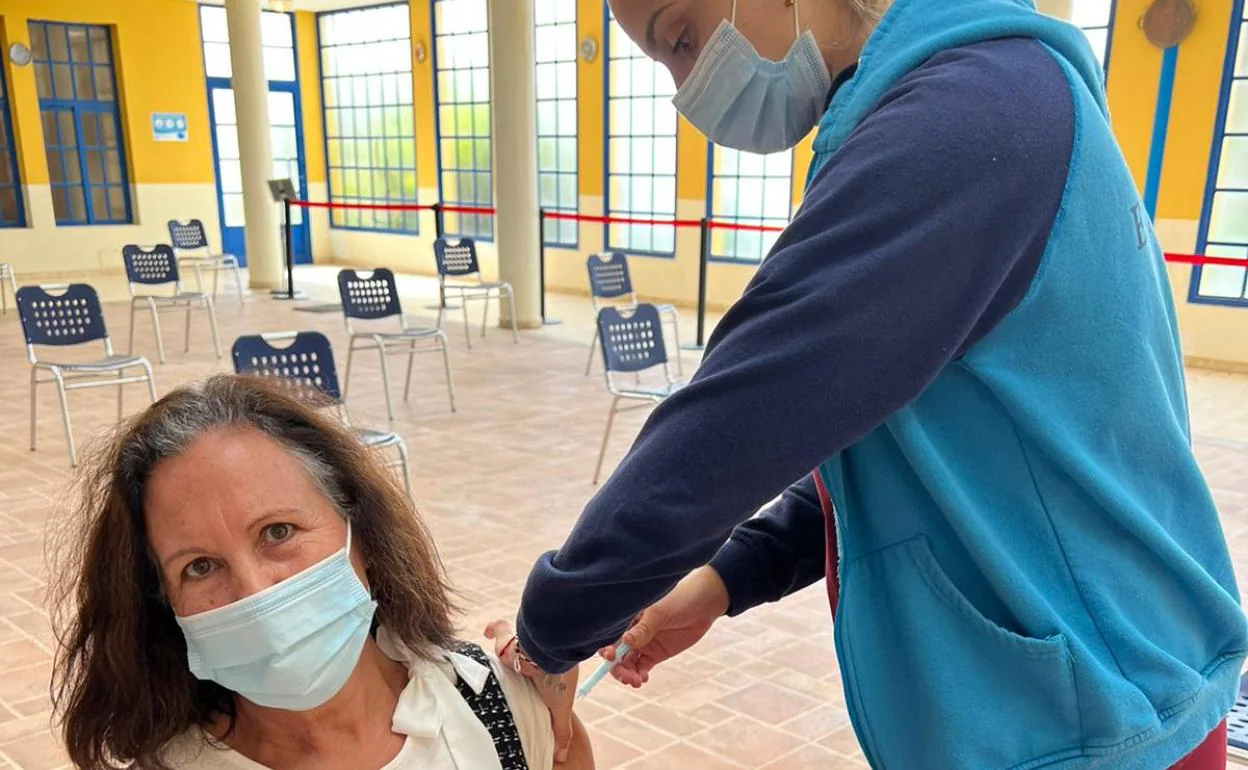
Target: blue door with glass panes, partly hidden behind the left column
[{"x": 286, "y": 143}]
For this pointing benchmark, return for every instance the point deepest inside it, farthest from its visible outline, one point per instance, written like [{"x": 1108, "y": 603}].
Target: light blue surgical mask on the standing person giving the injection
[{"x": 741, "y": 100}]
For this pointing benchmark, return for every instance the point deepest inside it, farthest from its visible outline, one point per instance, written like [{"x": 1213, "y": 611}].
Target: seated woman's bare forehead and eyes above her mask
[{"x": 234, "y": 515}]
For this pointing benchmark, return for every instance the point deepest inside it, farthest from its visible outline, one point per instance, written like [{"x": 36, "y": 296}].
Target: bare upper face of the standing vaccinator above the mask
[{"x": 675, "y": 32}]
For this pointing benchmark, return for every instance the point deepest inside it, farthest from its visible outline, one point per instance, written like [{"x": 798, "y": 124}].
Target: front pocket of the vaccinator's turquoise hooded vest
[{"x": 935, "y": 685}]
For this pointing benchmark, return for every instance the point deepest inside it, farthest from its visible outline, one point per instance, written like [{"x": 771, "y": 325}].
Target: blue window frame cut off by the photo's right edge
[{"x": 1237, "y": 23}]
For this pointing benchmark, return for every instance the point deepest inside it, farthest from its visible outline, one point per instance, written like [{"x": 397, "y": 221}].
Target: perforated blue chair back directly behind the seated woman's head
[{"x": 306, "y": 363}]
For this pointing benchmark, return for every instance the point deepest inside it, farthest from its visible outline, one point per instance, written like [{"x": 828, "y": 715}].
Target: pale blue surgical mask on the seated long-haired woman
[{"x": 293, "y": 646}]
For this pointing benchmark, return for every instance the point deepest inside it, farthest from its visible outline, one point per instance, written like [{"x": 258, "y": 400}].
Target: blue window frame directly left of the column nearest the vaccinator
[{"x": 476, "y": 234}]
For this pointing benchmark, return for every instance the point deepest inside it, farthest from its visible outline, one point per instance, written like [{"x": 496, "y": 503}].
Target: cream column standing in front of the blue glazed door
[{"x": 265, "y": 261}]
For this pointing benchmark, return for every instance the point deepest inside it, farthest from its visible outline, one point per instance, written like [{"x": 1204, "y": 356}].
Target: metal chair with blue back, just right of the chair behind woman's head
[{"x": 375, "y": 296}]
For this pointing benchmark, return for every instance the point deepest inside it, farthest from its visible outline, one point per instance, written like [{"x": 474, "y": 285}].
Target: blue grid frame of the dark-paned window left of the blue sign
[{"x": 78, "y": 108}]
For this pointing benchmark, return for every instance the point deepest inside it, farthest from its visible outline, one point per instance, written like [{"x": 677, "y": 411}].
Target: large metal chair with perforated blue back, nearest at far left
[{"x": 69, "y": 319}]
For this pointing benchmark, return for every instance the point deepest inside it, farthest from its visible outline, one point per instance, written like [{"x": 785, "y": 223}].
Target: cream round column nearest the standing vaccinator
[{"x": 516, "y": 160}]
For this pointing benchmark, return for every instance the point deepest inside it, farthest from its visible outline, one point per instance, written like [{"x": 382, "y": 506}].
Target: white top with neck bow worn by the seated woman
[{"x": 442, "y": 732}]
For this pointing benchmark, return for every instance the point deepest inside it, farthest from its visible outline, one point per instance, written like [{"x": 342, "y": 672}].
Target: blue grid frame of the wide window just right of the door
[{"x": 415, "y": 217}]
